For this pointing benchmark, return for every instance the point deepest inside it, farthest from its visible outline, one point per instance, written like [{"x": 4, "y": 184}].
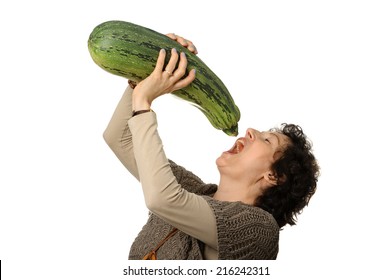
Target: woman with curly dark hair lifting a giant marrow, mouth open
[{"x": 266, "y": 178}]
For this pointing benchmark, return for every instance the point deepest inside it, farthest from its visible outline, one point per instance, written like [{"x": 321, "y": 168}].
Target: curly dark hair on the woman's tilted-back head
[{"x": 298, "y": 171}]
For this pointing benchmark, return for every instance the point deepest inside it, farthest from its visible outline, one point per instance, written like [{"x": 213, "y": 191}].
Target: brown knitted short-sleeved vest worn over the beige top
[{"x": 244, "y": 232}]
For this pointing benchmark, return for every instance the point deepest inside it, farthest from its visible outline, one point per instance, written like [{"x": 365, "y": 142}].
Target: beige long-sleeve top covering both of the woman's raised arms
[{"x": 136, "y": 143}]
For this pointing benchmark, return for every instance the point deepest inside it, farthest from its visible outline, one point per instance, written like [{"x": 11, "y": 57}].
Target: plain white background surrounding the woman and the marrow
[{"x": 69, "y": 210}]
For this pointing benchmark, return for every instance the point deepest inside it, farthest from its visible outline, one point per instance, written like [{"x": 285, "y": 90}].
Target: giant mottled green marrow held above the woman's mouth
[{"x": 130, "y": 51}]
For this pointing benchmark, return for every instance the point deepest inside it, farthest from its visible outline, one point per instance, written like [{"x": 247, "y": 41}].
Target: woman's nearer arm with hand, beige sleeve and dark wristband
[{"x": 164, "y": 196}]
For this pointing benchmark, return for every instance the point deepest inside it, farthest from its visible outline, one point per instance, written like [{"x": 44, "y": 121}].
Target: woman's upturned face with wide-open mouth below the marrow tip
[{"x": 253, "y": 154}]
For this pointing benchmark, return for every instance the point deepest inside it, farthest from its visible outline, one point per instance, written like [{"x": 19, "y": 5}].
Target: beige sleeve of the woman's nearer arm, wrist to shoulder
[{"x": 163, "y": 195}]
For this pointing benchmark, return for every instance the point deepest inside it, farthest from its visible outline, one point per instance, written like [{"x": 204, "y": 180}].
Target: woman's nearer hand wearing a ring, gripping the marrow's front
[{"x": 161, "y": 80}]
